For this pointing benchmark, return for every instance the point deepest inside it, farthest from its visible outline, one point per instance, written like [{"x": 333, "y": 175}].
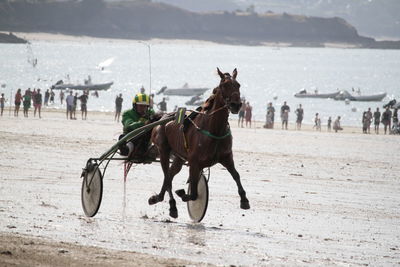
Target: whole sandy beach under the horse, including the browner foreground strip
[{"x": 317, "y": 198}]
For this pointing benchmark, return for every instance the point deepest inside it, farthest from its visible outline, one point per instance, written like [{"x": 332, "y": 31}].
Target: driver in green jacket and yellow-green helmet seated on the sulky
[{"x": 139, "y": 115}]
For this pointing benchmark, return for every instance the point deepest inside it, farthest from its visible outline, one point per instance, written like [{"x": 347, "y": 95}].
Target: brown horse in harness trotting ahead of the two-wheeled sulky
[{"x": 206, "y": 141}]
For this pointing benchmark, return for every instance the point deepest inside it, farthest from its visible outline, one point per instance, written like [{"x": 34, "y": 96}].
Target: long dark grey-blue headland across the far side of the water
[{"x": 145, "y": 20}]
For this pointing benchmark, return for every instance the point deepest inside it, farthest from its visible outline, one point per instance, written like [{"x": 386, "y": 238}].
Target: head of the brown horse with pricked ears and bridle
[{"x": 229, "y": 88}]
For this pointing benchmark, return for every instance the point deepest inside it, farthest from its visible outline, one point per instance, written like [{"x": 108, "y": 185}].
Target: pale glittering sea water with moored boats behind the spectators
[{"x": 266, "y": 74}]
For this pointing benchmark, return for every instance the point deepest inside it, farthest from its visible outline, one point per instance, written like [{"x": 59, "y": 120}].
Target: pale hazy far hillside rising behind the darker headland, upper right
[{"x": 378, "y": 19}]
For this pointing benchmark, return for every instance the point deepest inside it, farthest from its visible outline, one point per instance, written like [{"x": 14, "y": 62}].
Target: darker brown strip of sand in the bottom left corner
[{"x": 22, "y": 250}]
